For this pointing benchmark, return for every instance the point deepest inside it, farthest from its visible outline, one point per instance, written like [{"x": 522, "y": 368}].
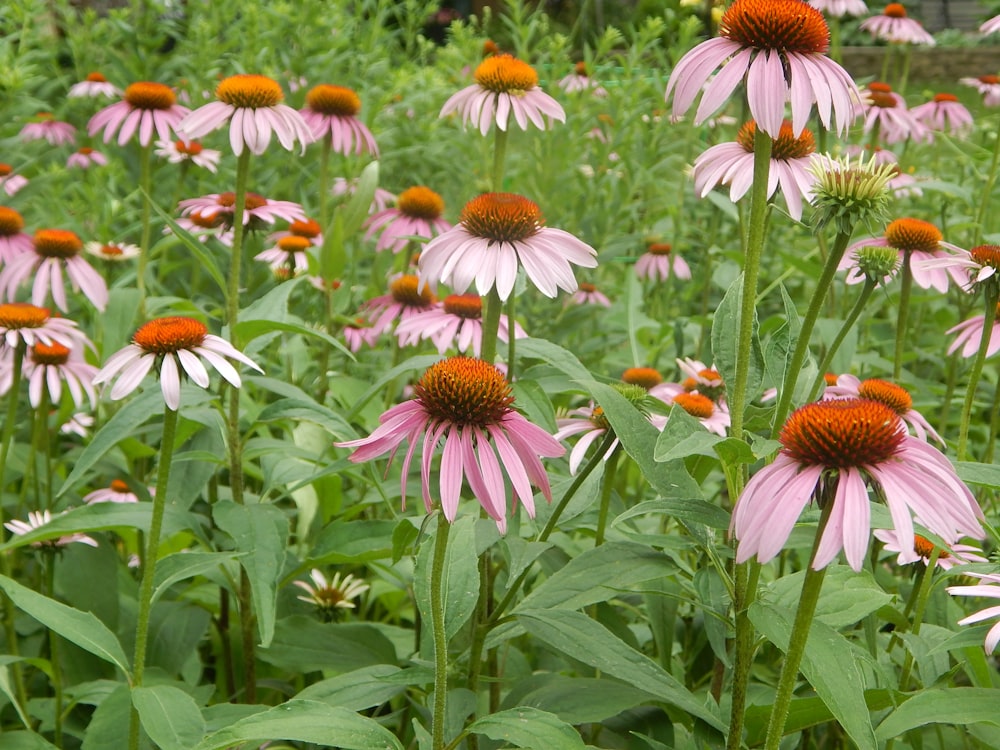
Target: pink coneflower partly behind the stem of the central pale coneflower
[{"x": 457, "y": 323}]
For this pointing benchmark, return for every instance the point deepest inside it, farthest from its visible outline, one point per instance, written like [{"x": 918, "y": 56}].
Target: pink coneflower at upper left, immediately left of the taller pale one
[{"x": 146, "y": 107}]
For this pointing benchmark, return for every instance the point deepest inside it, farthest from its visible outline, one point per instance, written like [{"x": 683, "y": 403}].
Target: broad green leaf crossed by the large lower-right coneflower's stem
[{"x": 831, "y": 664}]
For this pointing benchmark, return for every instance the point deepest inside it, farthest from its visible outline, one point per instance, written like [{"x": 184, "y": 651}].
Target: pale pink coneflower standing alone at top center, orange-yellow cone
[{"x": 504, "y": 86}]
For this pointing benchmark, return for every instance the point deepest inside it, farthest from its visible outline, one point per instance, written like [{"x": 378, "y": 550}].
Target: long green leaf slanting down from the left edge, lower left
[{"x": 81, "y": 628}]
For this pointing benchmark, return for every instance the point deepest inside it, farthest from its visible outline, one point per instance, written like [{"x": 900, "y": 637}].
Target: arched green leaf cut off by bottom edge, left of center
[{"x": 305, "y": 721}]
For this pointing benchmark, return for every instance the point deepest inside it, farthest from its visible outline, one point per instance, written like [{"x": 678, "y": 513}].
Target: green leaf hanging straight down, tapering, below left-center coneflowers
[{"x": 261, "y": 532}]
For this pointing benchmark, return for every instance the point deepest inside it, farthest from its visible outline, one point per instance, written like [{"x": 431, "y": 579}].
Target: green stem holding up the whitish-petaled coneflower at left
[{"x": 149, "y": 564}]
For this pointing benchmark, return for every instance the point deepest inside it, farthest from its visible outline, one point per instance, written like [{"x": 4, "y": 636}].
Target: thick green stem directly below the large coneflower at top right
[{"x": 751, "y": 270}]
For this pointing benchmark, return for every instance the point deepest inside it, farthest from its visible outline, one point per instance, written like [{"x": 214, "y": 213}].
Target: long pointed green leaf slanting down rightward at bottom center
[{"x": 579, "y": 637}]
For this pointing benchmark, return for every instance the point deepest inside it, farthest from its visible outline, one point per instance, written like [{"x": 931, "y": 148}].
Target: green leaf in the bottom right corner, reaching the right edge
[{"x": 951, "y": 705}]
